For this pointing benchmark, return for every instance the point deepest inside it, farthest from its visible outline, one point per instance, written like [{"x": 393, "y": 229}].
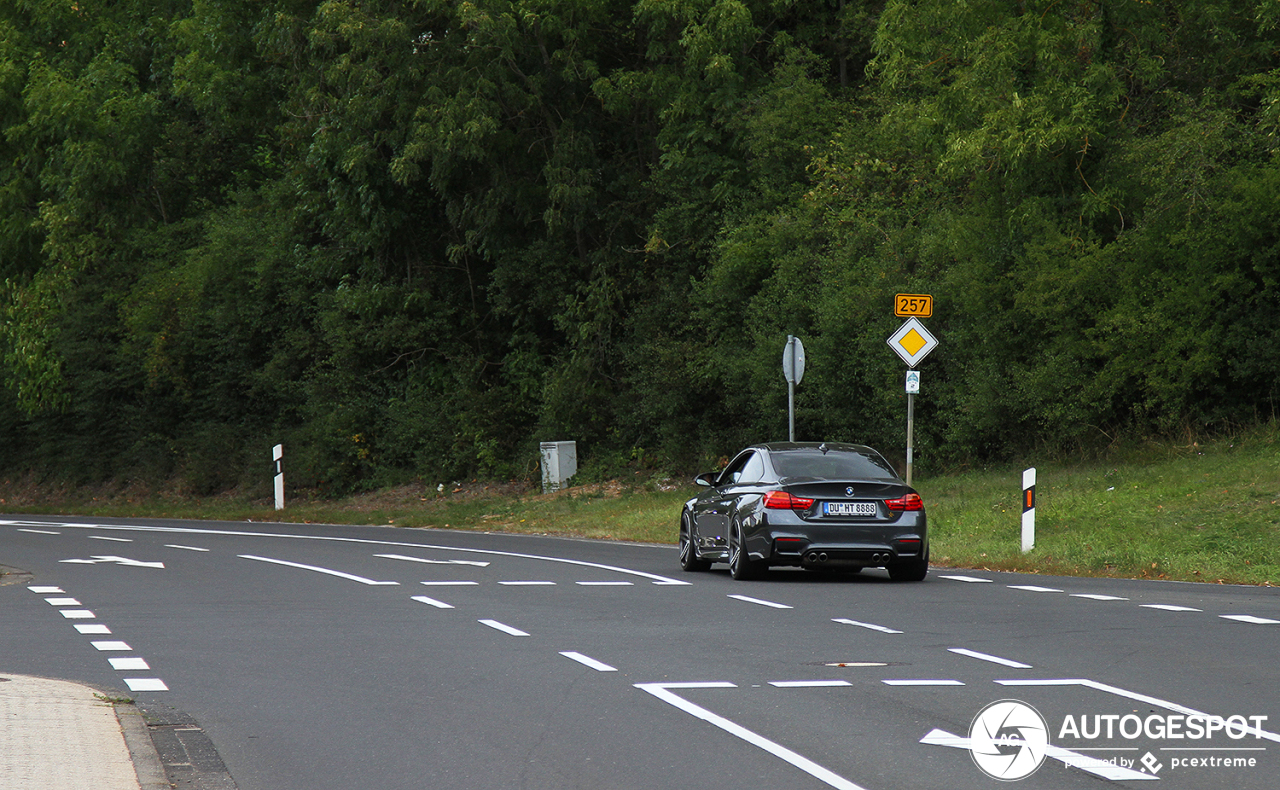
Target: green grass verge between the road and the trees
[{"x": 1201, "y": 513}]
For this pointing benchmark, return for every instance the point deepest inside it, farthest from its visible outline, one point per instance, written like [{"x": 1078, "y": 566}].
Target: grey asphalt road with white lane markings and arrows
[{"x": 339, "y": 657}]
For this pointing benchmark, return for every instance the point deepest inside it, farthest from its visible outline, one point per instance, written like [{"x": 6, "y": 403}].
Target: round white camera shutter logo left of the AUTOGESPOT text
[{"x": 1008, "y": 741}]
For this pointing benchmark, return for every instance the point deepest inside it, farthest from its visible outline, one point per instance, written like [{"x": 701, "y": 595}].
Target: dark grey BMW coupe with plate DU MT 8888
[{"x": 817, "y": 506}]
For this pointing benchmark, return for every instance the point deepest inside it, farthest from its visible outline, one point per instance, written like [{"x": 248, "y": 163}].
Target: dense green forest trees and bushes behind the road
[{"x": 413, "y": 239}]
